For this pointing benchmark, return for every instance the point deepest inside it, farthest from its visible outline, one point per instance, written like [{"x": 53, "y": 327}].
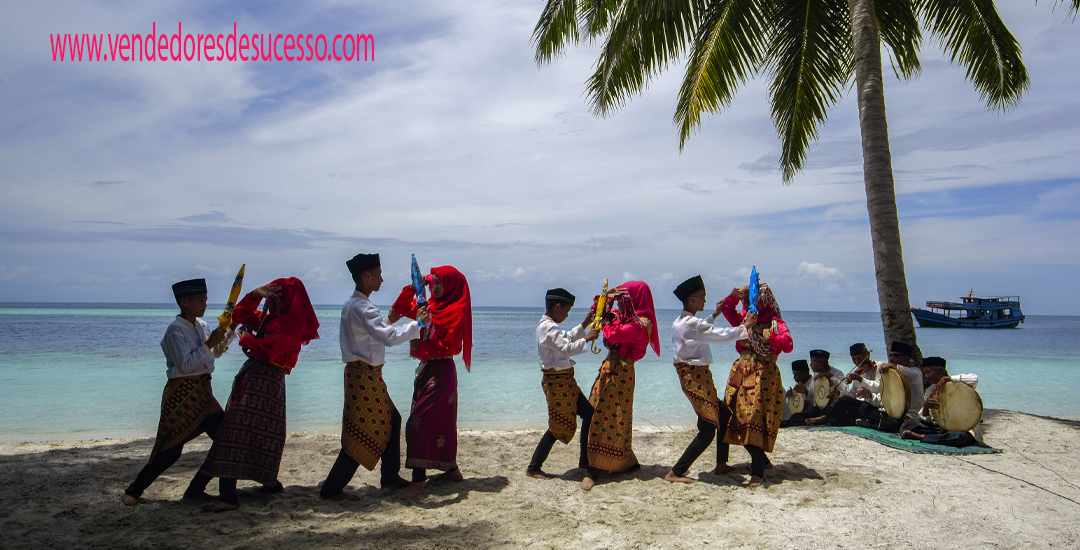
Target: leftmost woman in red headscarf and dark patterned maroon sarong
[{"x": 252, "y": 436}]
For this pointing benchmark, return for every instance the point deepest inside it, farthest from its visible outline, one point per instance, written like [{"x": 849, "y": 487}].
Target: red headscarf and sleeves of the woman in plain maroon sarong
[{"x": 452, "y": 313}]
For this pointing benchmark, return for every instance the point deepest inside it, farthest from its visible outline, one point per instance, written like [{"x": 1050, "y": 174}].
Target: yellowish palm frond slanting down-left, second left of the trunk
[{"x": 728, "y": 48}]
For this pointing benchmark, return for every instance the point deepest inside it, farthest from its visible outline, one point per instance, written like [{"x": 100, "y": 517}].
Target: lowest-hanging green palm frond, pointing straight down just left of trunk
[{"x": 813, "y": 62}]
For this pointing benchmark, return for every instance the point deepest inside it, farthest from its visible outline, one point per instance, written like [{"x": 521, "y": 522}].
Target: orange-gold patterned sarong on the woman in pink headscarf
[{"x": 612, "y": 432}]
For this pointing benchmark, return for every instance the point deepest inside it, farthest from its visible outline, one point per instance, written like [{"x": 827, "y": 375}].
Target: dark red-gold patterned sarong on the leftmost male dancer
[{"x": 185, "y": 405}]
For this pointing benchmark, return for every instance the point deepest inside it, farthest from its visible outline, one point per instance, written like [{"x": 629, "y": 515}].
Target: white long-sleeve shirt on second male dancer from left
[{"x": 366, "y": 333}]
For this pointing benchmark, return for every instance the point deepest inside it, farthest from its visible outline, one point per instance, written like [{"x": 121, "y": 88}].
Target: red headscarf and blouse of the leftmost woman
[{"x": 291, "y": 323}]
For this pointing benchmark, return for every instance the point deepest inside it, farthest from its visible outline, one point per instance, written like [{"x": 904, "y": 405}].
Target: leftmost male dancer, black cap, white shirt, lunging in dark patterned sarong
[{"x": 188, "y": 407}]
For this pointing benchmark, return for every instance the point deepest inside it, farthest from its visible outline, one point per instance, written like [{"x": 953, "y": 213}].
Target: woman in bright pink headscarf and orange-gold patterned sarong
[{"x": 629, "y": 332}]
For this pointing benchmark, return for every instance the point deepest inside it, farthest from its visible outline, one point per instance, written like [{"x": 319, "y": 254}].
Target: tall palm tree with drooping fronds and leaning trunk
[{"x": 812, "y": 50}]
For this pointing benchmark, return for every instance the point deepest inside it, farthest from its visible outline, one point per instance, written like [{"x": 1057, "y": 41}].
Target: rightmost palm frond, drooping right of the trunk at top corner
[{"x": 974, "y": 34}]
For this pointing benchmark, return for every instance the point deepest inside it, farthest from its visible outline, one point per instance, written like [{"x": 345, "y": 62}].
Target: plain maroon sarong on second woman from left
[{"x": 431, "y": 434}]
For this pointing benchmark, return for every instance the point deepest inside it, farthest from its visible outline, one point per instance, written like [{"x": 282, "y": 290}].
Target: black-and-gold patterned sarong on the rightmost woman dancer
[{"x": 755, "y": 395}]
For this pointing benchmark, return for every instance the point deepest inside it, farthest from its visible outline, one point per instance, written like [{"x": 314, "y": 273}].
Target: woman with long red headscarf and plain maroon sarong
[{"x": 431, "y": 434}]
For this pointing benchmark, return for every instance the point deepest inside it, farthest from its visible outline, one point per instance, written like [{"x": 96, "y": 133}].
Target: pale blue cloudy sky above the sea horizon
[{"x": 119, "y": 179}]
